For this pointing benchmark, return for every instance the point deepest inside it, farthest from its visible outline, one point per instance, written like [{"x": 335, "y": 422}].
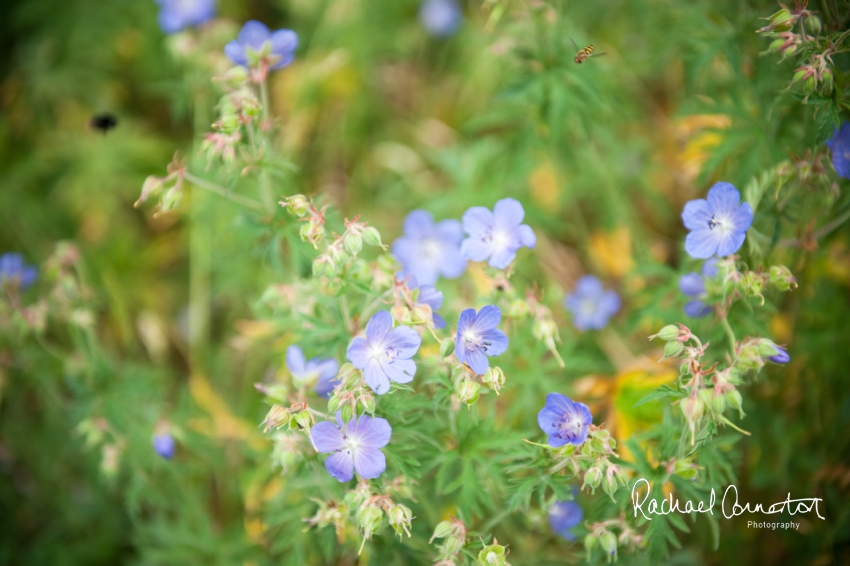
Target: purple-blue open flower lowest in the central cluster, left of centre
[{"x": 355, "y": 445}]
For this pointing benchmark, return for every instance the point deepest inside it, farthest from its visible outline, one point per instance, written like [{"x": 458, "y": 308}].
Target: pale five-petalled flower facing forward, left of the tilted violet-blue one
[{"x": 384, "y": 355}]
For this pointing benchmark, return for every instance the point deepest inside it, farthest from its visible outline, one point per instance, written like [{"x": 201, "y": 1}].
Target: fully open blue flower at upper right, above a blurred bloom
[{"x": 718, "y": 224}]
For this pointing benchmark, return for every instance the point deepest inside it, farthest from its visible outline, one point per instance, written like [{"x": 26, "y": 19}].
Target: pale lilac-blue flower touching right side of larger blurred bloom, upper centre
[{"x": 496, "y": 235}]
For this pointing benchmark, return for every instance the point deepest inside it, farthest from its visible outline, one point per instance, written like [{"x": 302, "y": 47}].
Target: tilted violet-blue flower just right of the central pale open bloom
[{"x": 477, "y": 337}]
